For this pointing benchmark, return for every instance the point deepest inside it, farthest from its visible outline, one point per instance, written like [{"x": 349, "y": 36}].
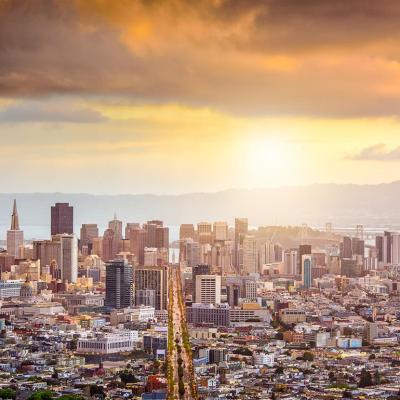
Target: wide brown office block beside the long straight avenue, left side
[{"x": 153, "y": 278}]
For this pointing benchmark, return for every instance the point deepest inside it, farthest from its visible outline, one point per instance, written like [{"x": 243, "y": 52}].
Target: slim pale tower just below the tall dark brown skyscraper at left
[{"x": 69, "y": 257}]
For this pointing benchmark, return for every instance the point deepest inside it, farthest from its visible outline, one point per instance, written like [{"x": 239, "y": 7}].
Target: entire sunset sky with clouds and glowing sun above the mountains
[{"x": 181, "y": 96}]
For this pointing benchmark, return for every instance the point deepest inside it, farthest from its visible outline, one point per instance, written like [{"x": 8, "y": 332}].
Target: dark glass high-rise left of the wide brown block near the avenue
[{"x": 119, "y": 284}]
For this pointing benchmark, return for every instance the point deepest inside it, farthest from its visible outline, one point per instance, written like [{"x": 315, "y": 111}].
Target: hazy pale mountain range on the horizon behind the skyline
[{"x": 344, "y": 205}]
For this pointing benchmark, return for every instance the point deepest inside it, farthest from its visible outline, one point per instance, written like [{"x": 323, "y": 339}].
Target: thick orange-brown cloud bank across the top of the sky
[{"x": 272, "y": 57}]
